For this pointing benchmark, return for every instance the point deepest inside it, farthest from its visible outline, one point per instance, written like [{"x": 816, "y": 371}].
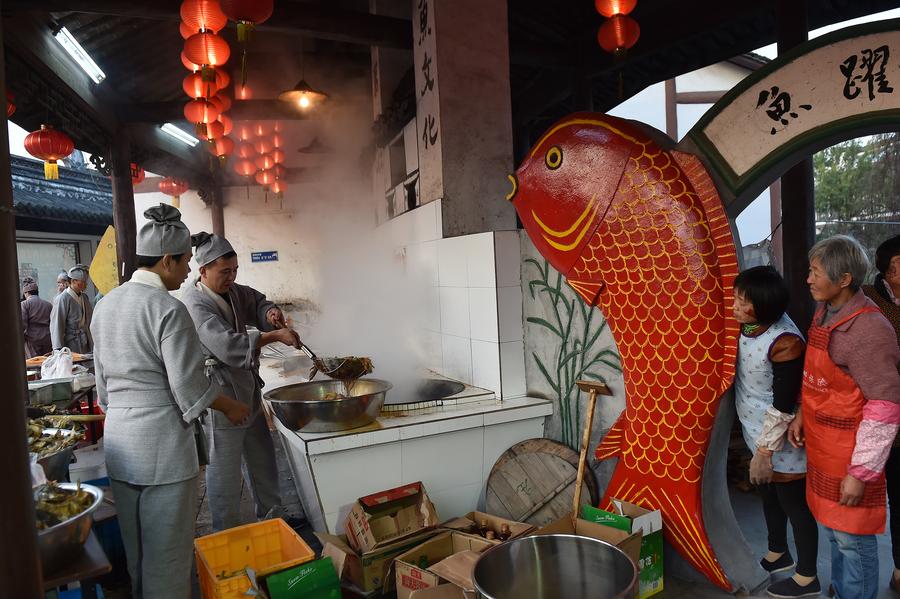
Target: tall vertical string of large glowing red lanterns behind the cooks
[{"x": 204, "y": 55}]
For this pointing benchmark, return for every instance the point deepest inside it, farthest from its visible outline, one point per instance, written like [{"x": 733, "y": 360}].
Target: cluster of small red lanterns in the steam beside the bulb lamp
[{"x": 261, "y": 157}]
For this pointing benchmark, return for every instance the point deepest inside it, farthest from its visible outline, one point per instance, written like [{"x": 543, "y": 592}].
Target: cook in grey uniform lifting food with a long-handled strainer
[{"x": 222, "y": 310}]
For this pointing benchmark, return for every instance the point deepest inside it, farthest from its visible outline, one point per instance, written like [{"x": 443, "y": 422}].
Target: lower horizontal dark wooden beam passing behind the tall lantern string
[{"x": 241, "y": 110}]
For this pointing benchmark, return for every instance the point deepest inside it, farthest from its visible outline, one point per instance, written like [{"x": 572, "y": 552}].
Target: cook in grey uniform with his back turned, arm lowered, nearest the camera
[{"x": 152, "y": 386}]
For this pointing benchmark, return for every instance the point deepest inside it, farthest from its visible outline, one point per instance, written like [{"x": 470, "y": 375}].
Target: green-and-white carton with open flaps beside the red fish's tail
[{"x": 632, "y": 518}]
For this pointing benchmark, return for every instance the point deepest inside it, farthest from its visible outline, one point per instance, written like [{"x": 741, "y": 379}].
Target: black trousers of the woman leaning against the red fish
[{"x": 783, "y": 501}]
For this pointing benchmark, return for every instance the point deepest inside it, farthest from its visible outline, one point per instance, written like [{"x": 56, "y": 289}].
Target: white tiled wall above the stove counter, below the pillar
[{"x": 473, "y": 317}]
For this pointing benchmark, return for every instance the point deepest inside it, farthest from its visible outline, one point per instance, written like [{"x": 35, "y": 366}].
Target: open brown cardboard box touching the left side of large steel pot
[{"x": 414, "y": 569}]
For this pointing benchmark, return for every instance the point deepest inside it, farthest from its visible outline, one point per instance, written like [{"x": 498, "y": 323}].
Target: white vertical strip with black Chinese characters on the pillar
[{"x": 428, "y": 120}]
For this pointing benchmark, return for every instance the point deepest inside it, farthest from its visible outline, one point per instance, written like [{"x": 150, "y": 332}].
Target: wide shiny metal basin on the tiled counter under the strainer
[{"x": 303, "y": 407}]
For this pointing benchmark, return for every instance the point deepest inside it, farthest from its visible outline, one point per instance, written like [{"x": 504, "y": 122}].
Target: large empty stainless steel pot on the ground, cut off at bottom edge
[{"x": 555, "y": 566}]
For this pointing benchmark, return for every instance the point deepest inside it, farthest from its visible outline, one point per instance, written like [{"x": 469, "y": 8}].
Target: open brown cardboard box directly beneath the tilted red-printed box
[{"x": 368, "y": 571}]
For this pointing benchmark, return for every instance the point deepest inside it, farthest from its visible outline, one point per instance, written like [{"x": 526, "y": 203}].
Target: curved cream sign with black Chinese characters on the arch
[{"x": 838, "y": 86}]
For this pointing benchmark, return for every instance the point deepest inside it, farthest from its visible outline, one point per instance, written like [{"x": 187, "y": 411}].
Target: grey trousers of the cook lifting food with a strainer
[{"x": 228, "y": 449}]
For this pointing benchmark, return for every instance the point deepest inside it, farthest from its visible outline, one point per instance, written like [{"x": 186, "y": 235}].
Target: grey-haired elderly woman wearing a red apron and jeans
[{"x": 850, "y": 413}]
